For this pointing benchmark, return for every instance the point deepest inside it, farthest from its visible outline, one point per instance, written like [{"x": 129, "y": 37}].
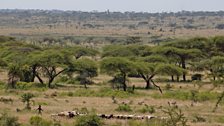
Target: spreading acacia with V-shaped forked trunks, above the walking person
[{"x": 50, "y": 63}]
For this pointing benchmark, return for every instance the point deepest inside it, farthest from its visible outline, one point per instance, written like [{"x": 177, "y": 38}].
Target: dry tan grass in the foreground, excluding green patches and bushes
[{"x": 105, "y": 104}]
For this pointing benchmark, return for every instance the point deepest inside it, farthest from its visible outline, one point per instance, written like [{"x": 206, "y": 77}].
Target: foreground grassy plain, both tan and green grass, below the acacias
[{"x": 98, "y": 97}]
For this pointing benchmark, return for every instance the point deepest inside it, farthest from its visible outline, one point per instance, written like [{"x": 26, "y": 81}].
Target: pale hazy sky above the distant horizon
[{"x": 116, "y": 5}]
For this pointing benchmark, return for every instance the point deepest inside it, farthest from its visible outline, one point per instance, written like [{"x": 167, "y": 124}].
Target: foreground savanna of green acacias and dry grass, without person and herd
[{"x": 180, "y": 82}]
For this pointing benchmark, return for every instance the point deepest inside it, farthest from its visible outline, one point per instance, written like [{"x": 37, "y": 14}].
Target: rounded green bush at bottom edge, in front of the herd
[{"x": 88, "y": 120}]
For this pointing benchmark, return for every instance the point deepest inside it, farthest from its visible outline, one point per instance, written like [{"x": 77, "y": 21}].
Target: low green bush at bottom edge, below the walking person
[{"x": 38, "y": 121}]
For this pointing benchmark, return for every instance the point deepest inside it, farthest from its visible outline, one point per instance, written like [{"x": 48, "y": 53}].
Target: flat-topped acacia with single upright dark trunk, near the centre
[{"x": 115, "y": 66}]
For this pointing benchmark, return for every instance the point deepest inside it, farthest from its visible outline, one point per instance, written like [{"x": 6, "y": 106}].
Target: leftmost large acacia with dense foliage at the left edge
[{"x": 15, "y": 54}]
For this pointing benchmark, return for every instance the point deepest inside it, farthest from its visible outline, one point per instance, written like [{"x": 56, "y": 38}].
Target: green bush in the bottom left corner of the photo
[{"x": 6, "y": 120}]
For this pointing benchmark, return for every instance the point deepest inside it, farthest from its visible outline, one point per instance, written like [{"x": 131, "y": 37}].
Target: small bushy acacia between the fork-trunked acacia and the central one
[{"x": 86, "y": 69}]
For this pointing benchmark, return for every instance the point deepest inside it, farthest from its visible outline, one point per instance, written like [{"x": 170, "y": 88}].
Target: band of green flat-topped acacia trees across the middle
[{"x": 27, "y": 63}]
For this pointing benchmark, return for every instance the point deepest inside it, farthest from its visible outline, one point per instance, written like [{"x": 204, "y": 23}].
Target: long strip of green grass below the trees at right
[{"x": 187, "y": 95}]
